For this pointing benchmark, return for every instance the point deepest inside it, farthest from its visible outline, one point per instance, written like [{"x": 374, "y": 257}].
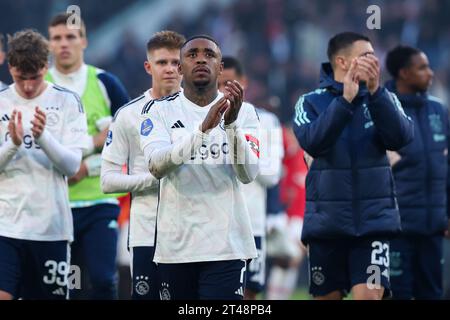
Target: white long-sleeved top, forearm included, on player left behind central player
[{"x": 122, "y": 146}]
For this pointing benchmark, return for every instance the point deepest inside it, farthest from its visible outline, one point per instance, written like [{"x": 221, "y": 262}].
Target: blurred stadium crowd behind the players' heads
[{"x": 281, "y": 42}]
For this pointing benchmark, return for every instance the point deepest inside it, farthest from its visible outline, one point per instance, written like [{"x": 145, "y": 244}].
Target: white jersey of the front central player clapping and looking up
[{"x": 202, "y": 214}]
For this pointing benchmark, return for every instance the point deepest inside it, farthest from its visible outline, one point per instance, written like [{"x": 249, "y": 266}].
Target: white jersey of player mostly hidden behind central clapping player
[{"x": 271, "y": 155}]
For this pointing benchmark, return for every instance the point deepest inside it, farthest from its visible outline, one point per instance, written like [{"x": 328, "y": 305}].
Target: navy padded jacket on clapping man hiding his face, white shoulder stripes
[{"x": 350, "y": 188}]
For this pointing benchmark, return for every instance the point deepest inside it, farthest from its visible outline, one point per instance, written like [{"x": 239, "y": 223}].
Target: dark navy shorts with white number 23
[{"x": 340, "y": 264}]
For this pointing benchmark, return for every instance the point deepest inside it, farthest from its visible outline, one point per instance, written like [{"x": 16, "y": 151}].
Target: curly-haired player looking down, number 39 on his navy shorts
[{"x": 43, "y": 131}]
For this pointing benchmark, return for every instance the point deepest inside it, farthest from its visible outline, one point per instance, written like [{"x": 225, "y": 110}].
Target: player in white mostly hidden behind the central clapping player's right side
[{"x": 269, "y": 175}]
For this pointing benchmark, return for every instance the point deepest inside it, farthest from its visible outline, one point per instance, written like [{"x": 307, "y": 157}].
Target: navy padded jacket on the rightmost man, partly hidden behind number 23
[{"x": 421, "y": 175}]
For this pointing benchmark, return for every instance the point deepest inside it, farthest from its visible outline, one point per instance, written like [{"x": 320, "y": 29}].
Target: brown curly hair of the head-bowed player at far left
[{"x": 27, "y": 51}]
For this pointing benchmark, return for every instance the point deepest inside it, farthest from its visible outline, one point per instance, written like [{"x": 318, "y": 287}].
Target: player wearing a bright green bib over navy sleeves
[{"x": 94, "y": 213}]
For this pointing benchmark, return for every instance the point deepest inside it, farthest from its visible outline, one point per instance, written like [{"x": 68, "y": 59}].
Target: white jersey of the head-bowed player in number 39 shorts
[{"x": 34, "y": 202}]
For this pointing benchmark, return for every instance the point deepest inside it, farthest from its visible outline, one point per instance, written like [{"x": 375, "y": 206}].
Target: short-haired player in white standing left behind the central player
[{"x": 123, "y": 146}]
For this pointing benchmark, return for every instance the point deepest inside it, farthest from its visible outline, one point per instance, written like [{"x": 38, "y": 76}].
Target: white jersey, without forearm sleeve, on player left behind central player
[{"x": 122, "y": 146}]
